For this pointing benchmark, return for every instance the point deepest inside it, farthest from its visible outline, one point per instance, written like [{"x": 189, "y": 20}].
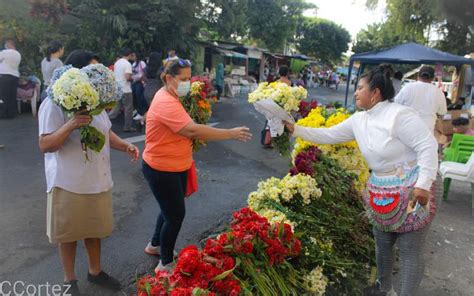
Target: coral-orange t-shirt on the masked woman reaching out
[{"x": 165, "y": 149}]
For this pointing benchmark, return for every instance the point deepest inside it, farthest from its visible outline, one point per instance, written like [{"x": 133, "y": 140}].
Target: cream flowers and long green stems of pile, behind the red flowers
[{"x": 319, "y": 200}]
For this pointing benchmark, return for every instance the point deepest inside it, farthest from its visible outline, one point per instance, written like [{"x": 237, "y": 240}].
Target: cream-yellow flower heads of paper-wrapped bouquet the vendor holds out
[{"x": 287, "y": 97}]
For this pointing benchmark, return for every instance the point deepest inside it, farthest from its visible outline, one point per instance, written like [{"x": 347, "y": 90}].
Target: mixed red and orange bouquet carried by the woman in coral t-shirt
[{"x": 198, "y": 105}]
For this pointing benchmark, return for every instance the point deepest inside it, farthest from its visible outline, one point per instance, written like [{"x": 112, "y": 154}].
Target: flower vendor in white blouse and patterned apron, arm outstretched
[{"x": 402, "y": 154}]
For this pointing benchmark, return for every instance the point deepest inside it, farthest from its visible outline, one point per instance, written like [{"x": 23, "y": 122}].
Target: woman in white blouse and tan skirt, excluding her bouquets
[{"x": 79, "y": 192}]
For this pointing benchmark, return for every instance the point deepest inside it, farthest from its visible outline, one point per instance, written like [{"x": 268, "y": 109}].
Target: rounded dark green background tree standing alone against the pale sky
[{"x": 322, "y": 39}]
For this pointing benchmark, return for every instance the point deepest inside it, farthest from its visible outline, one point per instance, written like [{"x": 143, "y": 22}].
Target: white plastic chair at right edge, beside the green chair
[{"x": 458, "y": 171}]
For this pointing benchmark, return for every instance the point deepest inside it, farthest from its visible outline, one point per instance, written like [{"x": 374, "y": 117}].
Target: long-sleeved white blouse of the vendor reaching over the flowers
[{"x": 389, "y": 135}]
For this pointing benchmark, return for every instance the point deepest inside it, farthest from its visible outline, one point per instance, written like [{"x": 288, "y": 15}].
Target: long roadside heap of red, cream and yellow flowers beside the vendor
[{"x": 303, "y": 234}]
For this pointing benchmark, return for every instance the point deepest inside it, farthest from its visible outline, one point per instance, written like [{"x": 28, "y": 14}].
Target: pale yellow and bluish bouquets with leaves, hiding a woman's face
[{"x": 90, "y": 91}]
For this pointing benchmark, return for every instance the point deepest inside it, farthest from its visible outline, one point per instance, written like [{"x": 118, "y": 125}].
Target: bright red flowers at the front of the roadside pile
[{"x": 211, "y": 270}]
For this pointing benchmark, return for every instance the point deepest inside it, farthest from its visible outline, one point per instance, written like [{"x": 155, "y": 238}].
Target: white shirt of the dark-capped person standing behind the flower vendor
[{"x": 426, "y": 99}]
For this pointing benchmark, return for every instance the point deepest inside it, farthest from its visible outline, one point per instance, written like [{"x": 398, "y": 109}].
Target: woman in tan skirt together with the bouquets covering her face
[{"x": 80, "y": 188}]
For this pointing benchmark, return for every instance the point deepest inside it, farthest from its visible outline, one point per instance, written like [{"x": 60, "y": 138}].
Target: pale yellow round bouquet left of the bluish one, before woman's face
[{"x": 73, "y": 92}]
